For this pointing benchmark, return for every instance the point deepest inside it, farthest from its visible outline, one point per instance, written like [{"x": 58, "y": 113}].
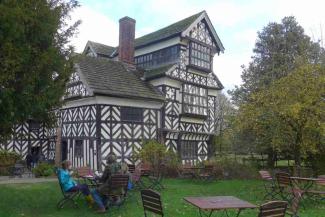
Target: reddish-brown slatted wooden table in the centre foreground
[{"x": 218, "y": 203}]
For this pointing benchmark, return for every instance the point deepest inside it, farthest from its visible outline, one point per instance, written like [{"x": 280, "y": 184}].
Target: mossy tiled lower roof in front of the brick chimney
[{"x": 112, "y": 78}]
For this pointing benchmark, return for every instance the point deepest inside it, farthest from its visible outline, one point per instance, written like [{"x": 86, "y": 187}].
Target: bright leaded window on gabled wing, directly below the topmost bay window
[{"x": 195, "y": 100}]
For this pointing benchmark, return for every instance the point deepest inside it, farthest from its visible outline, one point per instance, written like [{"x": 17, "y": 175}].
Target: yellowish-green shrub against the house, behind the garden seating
[{"x": 157, "y": 155}]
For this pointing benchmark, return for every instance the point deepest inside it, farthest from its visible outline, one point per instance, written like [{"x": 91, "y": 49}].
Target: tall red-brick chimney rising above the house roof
[{"x": 126, "y": 40}]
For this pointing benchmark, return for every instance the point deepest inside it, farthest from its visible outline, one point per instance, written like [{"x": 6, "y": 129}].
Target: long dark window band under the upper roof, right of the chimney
[{"x": 160, "y": 57}]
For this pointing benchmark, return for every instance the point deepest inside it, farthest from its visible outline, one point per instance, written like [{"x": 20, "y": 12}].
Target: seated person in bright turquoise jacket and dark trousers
[{"x": 69, "y": 185}]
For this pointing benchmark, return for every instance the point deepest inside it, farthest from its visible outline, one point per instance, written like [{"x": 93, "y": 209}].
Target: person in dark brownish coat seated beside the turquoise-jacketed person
[{"x": 113, "y": 167}]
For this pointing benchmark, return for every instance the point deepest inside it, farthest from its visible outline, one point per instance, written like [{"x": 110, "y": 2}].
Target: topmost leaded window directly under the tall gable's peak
[{"x": 200, "y": 56}]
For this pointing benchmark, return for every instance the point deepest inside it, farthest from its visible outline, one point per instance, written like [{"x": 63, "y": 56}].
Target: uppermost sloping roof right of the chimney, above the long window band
[{"x": 169, "y": 31}]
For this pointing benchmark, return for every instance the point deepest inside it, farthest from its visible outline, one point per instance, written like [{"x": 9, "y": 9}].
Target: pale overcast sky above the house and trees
[{"x": 235, "y": 21}]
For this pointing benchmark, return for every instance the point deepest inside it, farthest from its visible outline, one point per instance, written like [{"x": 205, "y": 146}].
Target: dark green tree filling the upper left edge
[{"x": 35, "y": 59}]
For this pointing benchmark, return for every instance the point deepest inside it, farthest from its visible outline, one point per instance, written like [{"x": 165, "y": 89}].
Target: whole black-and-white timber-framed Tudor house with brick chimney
[{"x": 160, "y": 86}]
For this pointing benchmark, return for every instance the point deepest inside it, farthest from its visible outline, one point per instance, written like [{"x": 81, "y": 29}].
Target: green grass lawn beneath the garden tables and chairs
[{"x": 39, "y": 200}]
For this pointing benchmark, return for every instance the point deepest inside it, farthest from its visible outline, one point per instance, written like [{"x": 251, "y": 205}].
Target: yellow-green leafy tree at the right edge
[{"x": 289, "y": 116}]
